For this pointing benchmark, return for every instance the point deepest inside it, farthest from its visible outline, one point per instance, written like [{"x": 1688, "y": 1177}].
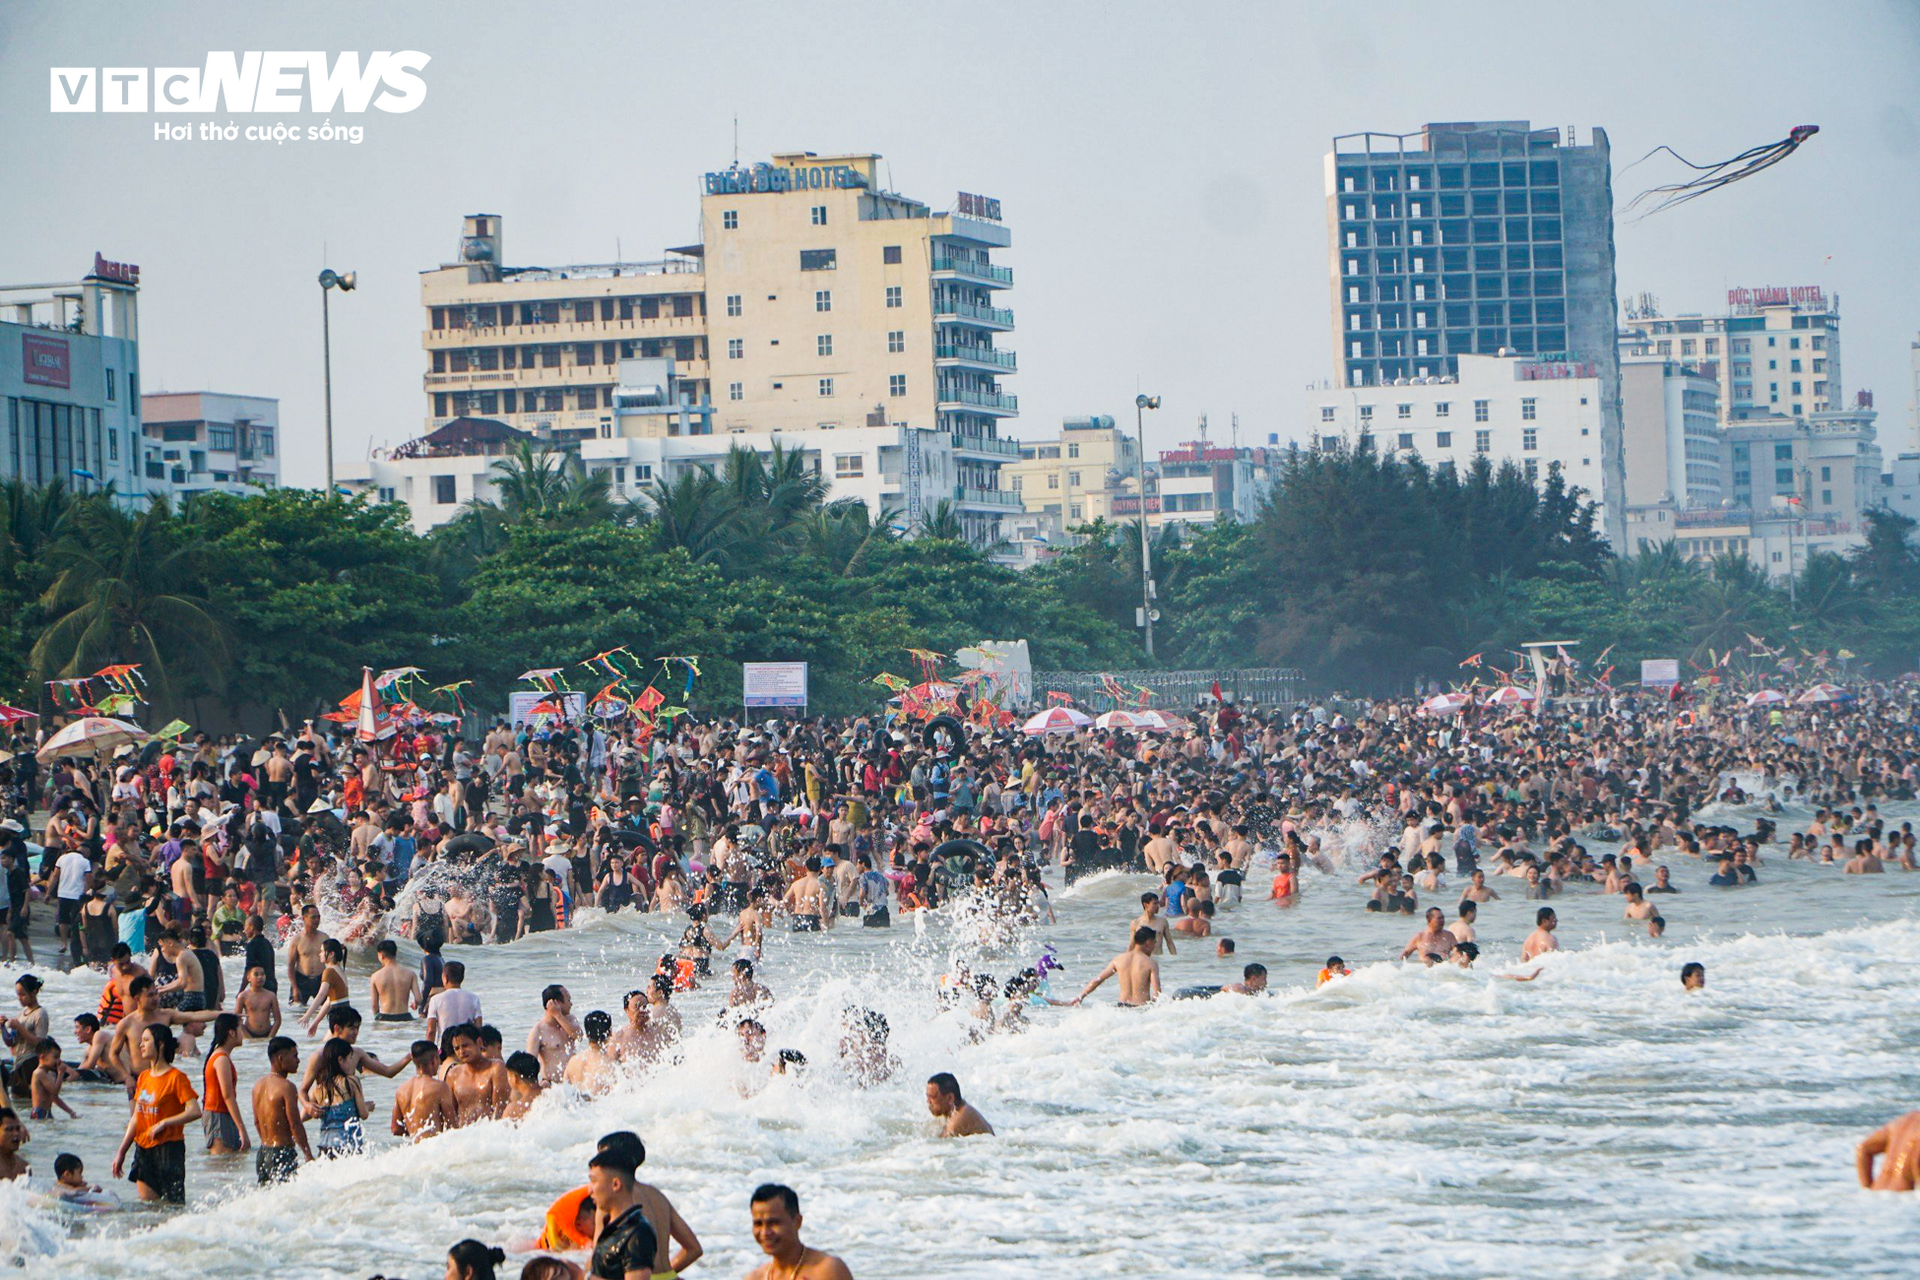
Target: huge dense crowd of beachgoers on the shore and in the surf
[{"x": 308, "y": 855}]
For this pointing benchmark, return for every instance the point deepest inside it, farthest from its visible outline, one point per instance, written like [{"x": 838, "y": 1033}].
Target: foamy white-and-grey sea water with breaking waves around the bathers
[{"x": 1596, "y": 1122}]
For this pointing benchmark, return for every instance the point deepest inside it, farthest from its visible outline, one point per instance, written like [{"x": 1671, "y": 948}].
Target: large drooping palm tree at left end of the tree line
[{"x": 128, "y": 590}]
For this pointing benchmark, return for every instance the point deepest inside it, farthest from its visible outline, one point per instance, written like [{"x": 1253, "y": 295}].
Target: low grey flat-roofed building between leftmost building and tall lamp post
[{"x": 204, "y": 442}]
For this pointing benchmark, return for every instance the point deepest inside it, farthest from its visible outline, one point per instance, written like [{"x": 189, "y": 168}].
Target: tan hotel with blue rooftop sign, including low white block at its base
[{"x": 859, "y": 325}]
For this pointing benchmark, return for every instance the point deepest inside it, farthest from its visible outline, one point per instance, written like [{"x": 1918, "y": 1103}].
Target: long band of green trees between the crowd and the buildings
[{"x": 1366, "y": 571}]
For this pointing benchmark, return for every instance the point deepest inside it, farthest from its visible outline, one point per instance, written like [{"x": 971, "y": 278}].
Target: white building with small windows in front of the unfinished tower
[{"x": 1533, "y": 414}]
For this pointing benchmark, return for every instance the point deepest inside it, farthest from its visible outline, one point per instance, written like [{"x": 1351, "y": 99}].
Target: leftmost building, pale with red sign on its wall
[{"x": 70, "y": 383}]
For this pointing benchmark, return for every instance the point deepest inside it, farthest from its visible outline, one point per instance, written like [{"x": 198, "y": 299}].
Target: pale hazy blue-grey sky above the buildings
[{"x": 1159, "y": 166}]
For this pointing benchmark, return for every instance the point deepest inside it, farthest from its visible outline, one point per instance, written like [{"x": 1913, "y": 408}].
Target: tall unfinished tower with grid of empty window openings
[{"x": 1476, "y": 239}]
